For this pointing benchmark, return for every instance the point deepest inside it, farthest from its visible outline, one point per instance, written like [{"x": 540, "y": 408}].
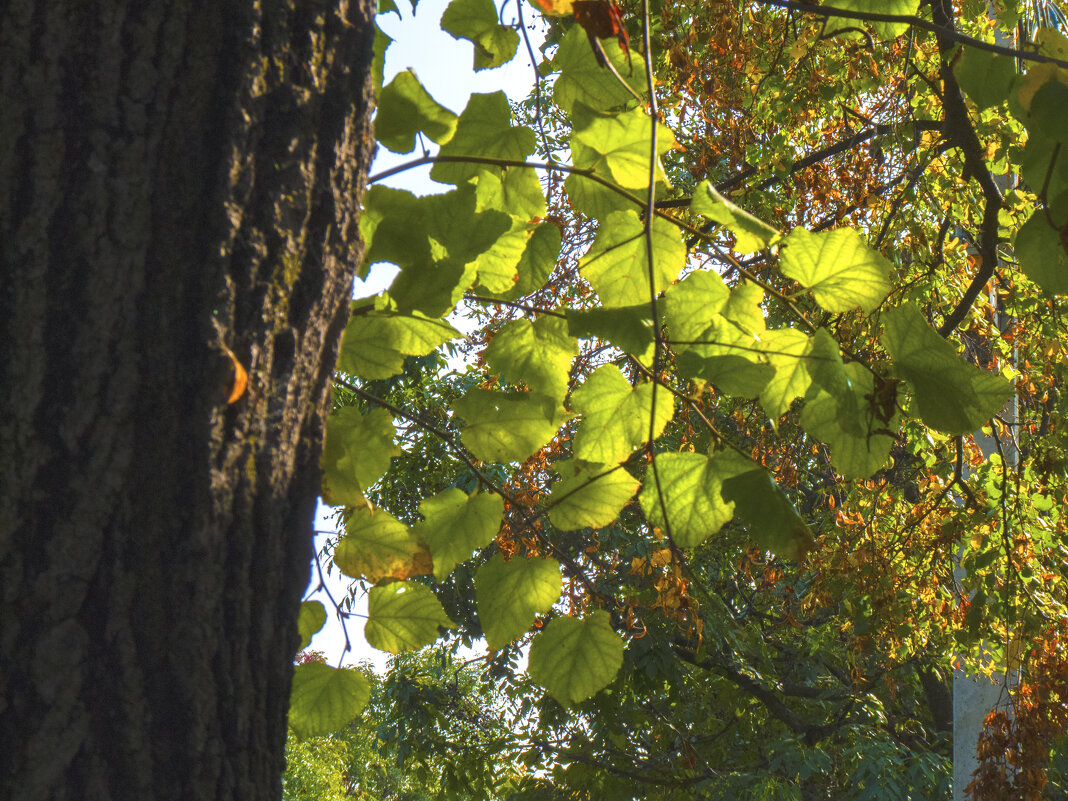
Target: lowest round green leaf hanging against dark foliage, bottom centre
[{"x": 574, "y": 659}]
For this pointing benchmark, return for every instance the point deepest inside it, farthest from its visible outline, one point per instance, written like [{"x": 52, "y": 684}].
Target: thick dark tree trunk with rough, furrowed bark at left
[{"x": 179, "y": 180}]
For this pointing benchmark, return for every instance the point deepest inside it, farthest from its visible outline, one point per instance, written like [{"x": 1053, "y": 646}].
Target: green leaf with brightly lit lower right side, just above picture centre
[{"x": 536, "y": 354}]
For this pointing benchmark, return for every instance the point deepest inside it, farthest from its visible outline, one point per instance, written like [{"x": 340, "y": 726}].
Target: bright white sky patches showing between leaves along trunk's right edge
[{"x": 445, "y": 68}]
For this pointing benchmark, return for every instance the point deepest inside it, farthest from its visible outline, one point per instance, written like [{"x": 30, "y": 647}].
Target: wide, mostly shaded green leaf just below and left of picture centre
[{"x": 508, "y": 427}]
